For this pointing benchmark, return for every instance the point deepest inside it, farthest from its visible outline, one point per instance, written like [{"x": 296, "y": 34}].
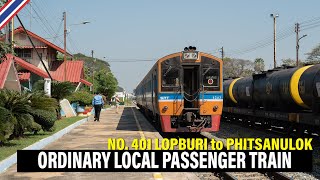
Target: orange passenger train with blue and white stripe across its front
[{"x": 182, "y": 92}]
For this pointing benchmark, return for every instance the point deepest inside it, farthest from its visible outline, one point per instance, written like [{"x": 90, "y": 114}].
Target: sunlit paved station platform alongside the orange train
[{"x": 128, "y": 124}]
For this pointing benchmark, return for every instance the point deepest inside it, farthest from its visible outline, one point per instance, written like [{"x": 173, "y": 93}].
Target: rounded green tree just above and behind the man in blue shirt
[{"x": 105, "y": 83}]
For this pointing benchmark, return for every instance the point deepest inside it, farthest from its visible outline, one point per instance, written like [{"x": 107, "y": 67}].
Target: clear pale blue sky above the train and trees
[{"x": 127, "y": 30}]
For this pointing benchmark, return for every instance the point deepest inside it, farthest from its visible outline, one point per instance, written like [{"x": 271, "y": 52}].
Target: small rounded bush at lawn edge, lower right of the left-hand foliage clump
[{"x": 44, "y": 118}]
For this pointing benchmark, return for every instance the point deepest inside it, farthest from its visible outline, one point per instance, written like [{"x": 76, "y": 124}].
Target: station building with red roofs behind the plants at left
[{"x": 30, "y": 69}]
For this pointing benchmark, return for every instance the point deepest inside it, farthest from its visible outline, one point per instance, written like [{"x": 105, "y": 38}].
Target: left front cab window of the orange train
[{"x": 170, "y": 73}]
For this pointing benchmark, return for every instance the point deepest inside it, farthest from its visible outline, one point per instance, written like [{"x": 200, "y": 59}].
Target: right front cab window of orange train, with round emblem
[{"x": 210, "y": 74}]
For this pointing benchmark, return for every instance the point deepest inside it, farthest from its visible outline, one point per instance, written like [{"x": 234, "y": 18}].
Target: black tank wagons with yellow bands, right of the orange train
[{"x": 286, "y": 97}]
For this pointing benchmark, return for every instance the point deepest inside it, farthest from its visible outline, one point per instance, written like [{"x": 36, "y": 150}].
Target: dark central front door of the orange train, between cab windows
[{"x": 191, "y": 86}]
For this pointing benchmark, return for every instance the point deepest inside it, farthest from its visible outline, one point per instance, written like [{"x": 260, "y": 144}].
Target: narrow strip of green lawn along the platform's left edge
[{"x": 12, "y": 146}]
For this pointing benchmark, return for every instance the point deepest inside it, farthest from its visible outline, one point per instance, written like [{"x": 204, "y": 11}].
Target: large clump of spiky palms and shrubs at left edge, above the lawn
[{"x": 25, "y": 112}]
